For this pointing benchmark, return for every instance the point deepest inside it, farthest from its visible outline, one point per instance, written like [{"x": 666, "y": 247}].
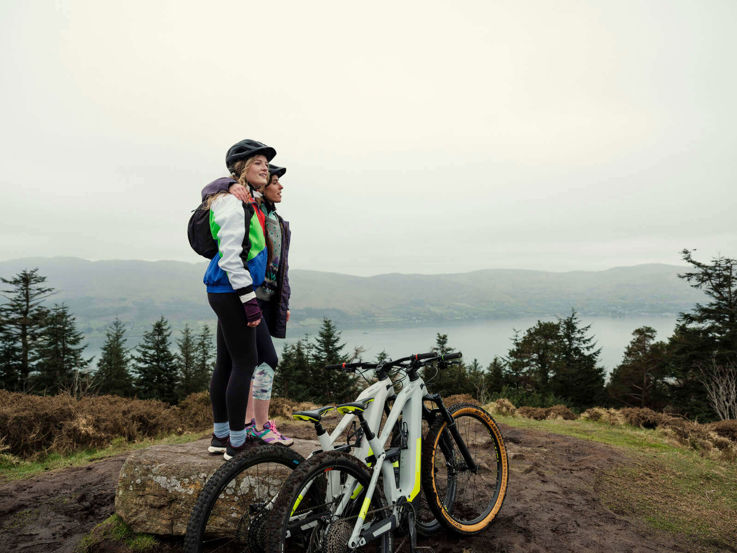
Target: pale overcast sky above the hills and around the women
[{"x": 419, "y": 136}]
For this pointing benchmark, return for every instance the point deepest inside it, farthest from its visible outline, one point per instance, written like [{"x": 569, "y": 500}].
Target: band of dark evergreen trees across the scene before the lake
[{"x": 693, "y": 373}]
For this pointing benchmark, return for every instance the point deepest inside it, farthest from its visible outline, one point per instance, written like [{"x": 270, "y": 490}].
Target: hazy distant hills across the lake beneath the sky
[{"x": 140, "y": 291}]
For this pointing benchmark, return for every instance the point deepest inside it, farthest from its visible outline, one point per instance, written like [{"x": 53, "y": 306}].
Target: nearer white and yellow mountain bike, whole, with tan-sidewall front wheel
[{"x": 335, "y": 502}]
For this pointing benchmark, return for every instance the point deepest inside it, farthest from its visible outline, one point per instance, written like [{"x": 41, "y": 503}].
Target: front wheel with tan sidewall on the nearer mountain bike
[{"x": 463, "y": 500}]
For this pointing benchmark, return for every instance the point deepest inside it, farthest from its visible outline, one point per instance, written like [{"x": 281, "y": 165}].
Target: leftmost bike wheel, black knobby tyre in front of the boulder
[{"x": 231, "y": 509}]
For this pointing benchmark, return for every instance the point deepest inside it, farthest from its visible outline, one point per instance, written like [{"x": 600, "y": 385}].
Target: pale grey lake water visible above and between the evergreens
[{"x": 483, "y": 340}]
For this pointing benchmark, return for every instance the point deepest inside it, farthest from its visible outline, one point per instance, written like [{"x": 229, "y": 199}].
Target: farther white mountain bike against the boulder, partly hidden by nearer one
[{"x": 230, "y": 510}]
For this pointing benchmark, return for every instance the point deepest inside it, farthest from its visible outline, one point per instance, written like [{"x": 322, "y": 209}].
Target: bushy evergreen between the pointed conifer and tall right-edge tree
[{"x": 639, "y": 380}]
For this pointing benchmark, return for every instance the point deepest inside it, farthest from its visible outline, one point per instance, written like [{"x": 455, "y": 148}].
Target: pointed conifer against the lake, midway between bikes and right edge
[{"x": 577, "y": 378}]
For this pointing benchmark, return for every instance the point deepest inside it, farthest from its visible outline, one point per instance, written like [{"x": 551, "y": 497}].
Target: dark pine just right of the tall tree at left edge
[{"x": 60, "y": 363}]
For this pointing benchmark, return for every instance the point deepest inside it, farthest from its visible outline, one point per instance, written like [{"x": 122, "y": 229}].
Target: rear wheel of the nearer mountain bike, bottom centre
[{"x": 306, "y": 515}]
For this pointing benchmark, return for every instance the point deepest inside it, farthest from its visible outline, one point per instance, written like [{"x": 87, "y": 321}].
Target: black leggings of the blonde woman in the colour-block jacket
[{"x": 236, "y": 358}]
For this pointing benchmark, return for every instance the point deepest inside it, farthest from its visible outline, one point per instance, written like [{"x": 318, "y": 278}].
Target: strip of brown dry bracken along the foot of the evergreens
[{"x": 31, "y": 426}]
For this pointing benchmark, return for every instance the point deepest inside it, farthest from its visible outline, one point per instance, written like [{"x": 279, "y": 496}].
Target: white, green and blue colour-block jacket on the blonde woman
[{"x": 238, "y": 229}]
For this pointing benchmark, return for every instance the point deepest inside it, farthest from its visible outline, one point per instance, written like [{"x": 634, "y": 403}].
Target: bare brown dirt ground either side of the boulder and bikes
[{"x": 551, "y": 505}]
